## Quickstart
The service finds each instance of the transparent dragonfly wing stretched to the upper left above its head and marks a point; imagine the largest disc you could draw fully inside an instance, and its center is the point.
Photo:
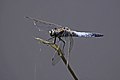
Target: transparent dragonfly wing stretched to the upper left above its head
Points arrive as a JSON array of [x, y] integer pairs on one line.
[[43, 25]]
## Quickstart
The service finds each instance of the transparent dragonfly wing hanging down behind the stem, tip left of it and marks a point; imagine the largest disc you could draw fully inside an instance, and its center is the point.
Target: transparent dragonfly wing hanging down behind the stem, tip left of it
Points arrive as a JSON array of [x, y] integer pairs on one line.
[[56, 58]]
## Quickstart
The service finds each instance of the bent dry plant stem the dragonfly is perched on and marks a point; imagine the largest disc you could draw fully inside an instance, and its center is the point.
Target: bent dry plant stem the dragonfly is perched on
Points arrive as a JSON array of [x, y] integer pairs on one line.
[[57, 48]]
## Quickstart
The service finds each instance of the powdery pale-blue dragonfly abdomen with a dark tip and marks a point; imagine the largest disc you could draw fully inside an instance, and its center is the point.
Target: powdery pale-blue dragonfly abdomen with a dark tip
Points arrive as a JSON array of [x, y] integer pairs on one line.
[[86, 34]]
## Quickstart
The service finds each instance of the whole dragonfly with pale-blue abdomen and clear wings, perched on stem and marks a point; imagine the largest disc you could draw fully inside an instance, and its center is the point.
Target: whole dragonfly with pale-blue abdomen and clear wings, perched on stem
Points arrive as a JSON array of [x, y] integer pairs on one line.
[[59, 32]]
